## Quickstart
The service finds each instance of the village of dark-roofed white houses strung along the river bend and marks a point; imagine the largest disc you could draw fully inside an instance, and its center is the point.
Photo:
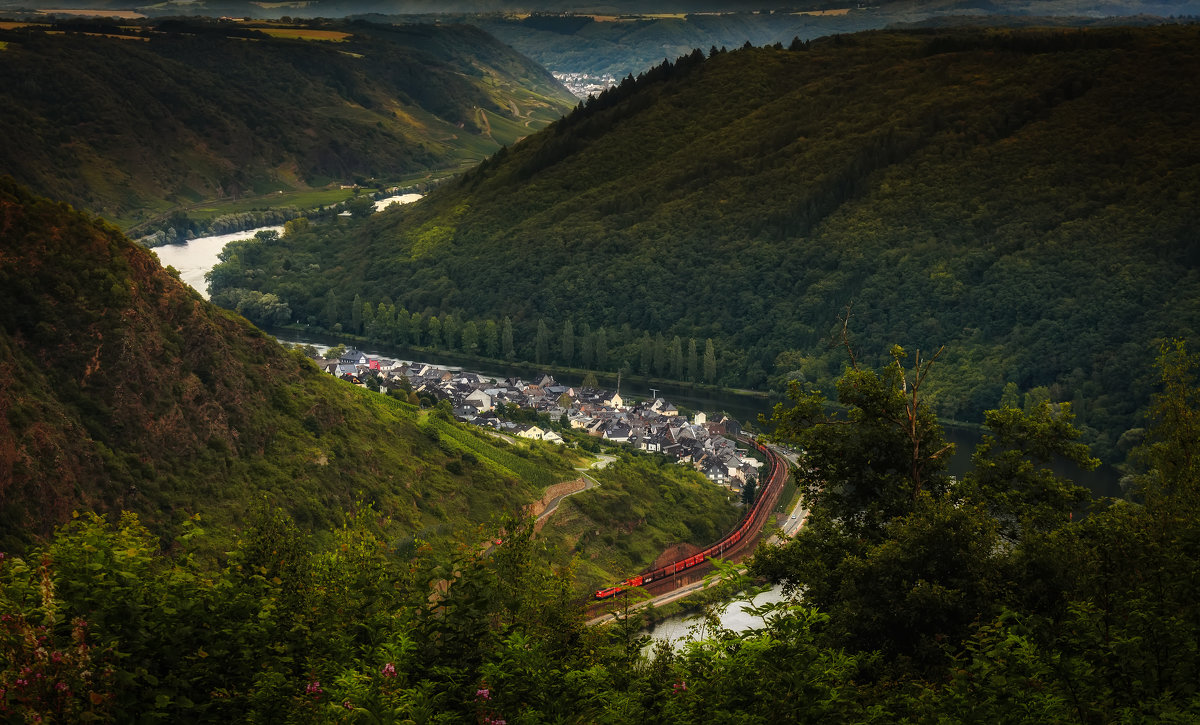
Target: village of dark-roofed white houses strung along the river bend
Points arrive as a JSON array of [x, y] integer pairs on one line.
[[653, 426]]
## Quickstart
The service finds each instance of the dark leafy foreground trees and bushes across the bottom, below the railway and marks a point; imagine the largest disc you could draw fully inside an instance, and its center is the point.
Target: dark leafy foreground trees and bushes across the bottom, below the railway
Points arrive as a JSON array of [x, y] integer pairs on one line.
[[926, 600]]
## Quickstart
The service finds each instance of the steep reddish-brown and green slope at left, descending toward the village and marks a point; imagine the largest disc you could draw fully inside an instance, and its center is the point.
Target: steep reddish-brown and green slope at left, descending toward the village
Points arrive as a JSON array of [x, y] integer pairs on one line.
[[123, 390]]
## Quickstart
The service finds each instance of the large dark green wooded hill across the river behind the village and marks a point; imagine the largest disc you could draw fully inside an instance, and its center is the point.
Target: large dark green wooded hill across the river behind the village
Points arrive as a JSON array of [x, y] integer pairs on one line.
[[1024, 199]]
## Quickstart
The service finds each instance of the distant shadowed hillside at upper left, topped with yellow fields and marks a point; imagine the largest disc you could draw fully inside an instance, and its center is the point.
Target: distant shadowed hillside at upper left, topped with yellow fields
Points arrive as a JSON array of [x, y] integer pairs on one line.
[[127, 121]]
